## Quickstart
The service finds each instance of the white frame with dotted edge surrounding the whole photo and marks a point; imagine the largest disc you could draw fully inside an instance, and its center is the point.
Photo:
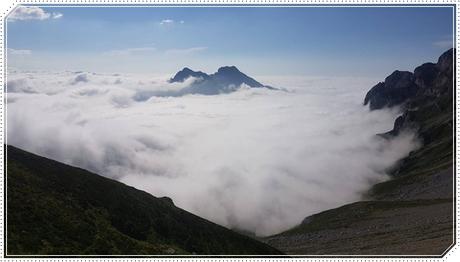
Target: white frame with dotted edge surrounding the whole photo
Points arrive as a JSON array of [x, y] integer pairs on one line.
[[7, 6]]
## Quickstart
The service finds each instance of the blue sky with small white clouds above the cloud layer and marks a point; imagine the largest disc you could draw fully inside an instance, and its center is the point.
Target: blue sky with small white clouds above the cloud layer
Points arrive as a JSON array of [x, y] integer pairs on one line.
[[321, 41]]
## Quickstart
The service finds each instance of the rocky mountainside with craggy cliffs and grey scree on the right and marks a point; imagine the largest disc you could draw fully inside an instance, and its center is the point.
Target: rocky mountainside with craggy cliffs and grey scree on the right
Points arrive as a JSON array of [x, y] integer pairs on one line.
[[411, 214]]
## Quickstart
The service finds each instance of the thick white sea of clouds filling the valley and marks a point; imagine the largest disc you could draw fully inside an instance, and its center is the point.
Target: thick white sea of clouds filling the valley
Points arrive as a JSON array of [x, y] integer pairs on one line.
[[258, 160]]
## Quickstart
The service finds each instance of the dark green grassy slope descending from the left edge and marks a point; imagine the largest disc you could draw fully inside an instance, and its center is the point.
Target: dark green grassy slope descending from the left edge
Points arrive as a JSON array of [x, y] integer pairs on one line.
[[53, 208]]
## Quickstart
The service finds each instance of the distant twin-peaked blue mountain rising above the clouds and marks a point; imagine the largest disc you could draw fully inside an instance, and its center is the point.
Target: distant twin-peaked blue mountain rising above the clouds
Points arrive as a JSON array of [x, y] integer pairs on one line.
[[227, 79]]
